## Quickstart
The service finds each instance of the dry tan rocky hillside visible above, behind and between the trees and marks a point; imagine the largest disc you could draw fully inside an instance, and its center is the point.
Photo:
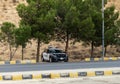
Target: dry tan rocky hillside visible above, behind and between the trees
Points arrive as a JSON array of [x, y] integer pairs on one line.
[[8, 13]]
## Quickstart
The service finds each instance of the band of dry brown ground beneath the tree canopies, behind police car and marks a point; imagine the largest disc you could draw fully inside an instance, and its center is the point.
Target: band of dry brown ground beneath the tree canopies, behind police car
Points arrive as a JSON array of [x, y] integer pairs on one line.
[[76, 52]]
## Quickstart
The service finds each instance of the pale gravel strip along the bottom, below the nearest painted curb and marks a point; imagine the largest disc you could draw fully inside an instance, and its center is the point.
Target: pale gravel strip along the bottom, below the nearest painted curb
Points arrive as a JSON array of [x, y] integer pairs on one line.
[[84, 80]]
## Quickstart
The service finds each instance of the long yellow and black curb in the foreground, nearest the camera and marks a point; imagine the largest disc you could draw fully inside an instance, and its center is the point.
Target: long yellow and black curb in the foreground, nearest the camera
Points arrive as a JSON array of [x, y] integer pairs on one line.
[[58, 75]]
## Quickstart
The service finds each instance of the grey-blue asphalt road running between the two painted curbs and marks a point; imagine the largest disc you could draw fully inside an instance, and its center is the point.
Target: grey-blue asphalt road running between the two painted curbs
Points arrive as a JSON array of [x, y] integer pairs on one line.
[[58, 66]]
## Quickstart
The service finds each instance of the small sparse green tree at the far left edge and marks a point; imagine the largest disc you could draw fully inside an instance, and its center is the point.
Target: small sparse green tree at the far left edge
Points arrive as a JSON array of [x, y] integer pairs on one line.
[[7, 34]]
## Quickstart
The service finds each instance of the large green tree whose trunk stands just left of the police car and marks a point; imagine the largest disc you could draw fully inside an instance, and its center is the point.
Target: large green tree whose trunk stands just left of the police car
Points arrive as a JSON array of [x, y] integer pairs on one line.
[[40, 15]]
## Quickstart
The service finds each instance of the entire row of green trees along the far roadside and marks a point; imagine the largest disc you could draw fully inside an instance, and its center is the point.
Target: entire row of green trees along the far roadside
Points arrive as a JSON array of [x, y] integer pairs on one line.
[[62, 20]]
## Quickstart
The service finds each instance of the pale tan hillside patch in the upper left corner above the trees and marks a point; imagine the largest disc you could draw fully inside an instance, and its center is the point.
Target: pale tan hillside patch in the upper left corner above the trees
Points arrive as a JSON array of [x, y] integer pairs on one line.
[[8, 11]]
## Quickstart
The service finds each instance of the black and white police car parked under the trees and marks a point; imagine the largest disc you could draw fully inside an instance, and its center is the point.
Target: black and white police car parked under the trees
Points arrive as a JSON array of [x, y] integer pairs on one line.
[[53, 54]]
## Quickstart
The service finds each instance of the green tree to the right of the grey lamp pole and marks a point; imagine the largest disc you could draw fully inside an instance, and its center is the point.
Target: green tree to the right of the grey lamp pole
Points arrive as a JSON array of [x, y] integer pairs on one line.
[[111, 28]]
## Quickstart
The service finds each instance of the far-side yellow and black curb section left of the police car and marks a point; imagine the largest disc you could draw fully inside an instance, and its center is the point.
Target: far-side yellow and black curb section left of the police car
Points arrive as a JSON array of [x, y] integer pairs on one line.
[[18, 62]]
